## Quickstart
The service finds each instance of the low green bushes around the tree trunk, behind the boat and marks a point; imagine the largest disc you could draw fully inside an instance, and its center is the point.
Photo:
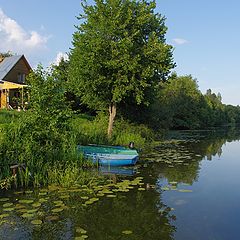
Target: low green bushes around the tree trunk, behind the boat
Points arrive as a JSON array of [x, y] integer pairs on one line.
[[92, 130]]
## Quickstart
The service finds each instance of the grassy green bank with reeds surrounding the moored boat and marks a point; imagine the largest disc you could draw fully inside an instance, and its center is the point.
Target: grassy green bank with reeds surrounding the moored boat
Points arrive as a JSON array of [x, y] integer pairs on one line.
[[48, 149]]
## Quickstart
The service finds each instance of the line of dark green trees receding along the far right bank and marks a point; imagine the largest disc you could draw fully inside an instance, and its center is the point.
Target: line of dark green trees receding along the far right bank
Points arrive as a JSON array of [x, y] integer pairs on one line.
[[179, 104]]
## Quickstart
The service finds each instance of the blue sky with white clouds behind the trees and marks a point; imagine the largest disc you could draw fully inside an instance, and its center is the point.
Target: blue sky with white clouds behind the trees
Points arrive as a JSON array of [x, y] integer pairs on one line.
[[205, 35]]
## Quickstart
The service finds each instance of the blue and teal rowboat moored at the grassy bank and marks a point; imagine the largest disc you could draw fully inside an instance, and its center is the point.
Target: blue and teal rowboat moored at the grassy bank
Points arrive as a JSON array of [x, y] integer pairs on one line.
[[110, 155]]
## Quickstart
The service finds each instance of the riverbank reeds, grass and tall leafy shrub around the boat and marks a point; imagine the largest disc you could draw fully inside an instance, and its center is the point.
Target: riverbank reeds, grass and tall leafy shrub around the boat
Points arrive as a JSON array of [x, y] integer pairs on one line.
[[43, 140]]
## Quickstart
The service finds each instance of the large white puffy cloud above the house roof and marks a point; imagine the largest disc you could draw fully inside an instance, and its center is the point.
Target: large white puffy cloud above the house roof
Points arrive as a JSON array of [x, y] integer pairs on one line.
[[17, 40]]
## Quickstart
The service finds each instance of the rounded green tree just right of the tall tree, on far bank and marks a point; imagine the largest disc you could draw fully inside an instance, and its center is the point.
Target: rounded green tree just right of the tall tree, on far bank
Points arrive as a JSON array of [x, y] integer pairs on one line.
[[180, 104]]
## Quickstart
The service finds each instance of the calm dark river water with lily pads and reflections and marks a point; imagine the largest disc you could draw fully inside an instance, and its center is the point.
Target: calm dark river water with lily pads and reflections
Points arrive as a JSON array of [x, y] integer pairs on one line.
[[184, 189]]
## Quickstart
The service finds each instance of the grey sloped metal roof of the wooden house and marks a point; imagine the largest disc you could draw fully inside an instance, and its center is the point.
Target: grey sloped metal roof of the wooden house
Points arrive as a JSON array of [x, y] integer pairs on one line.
[[8, 63]]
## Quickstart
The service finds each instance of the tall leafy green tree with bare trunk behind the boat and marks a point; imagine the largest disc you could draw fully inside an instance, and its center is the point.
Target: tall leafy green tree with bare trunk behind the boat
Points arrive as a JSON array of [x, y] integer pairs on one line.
[[119, 51]]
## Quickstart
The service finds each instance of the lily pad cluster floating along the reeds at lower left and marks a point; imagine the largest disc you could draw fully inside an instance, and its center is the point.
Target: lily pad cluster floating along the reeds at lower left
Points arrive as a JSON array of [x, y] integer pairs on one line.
[[49, 205]]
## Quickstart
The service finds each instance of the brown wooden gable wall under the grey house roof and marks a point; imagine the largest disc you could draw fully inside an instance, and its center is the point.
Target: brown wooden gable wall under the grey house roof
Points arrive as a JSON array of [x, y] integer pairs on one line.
[[19, 68]]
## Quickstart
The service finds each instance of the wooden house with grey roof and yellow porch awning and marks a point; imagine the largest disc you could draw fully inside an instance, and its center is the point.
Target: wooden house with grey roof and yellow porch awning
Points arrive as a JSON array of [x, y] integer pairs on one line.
[[13, 72]]
